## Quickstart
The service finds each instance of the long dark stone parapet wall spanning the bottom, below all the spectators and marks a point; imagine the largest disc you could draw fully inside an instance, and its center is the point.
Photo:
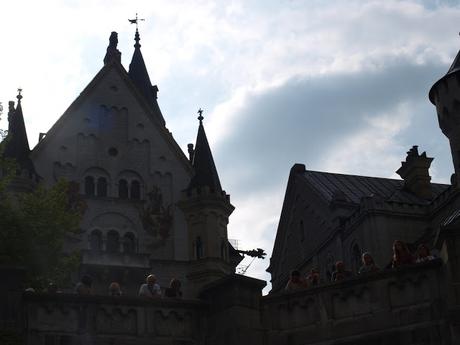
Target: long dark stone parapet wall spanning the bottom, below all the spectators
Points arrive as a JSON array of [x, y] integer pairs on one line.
[[402, 306]]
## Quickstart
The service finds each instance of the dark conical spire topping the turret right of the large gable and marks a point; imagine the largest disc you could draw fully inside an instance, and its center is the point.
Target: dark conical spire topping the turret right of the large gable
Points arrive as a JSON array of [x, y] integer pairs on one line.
[[203, 163]]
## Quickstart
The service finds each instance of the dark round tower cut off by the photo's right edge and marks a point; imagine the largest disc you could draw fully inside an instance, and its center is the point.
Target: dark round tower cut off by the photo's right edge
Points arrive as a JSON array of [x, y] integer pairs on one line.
[[445, 95]]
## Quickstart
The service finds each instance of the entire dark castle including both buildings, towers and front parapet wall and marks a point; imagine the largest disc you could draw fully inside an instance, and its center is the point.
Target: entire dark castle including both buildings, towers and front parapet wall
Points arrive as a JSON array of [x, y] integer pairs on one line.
[[151, 208]]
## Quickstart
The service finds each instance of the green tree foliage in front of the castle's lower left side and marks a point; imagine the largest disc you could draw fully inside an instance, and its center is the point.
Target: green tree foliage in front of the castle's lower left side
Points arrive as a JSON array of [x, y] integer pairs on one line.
[[33, 227]]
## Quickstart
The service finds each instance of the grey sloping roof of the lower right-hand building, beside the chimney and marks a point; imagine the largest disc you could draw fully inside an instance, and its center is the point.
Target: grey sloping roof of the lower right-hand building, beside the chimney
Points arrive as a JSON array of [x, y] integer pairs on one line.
[[356, 187]]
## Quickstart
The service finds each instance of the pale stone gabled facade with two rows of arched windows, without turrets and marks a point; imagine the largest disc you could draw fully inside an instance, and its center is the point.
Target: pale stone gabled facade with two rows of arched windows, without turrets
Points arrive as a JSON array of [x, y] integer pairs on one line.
[[125, 162]]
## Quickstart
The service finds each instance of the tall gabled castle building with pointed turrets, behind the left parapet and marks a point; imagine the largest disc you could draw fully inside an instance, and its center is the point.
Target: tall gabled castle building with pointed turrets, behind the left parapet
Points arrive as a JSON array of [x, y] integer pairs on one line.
[[149, 207]]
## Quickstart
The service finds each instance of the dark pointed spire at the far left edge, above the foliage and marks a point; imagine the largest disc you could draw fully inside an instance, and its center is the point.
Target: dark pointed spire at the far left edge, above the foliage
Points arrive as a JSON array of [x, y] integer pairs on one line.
[[16, 142]]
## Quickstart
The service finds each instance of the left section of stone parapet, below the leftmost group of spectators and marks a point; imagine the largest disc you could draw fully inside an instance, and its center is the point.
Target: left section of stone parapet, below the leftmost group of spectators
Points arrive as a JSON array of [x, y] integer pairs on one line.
[[63, 319]]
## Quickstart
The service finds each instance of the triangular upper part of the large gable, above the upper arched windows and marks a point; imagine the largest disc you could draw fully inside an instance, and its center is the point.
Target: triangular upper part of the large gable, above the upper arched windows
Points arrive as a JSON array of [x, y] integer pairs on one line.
[[109, 122]]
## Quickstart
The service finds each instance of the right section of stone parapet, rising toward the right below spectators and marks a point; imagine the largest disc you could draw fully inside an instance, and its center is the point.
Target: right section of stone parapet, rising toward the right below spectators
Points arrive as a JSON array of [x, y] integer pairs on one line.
[[400, 306]]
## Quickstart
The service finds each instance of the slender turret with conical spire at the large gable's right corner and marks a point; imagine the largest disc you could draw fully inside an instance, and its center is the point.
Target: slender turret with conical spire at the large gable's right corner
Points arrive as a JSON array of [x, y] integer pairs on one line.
[[207, 209]]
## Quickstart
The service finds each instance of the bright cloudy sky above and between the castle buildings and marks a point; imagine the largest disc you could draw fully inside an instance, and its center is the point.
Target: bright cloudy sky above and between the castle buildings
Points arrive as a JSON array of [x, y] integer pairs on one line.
[[340, 86]]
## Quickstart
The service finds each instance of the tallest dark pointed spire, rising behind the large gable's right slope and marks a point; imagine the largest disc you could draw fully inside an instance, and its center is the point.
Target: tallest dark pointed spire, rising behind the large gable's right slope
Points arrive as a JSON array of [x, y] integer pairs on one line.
[[140, 77]]
